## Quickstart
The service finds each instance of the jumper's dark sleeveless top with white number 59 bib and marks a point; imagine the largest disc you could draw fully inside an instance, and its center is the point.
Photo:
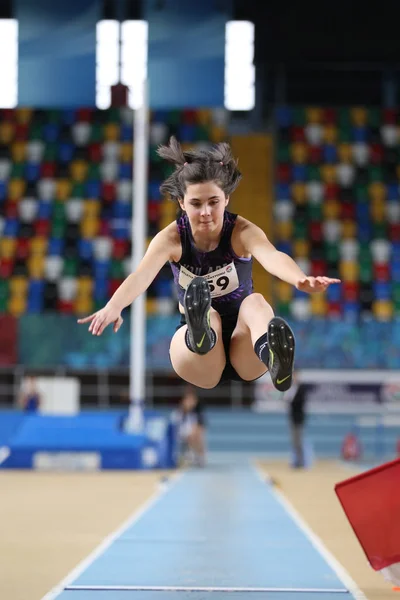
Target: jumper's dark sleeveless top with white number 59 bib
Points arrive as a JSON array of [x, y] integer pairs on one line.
[[229, 276]]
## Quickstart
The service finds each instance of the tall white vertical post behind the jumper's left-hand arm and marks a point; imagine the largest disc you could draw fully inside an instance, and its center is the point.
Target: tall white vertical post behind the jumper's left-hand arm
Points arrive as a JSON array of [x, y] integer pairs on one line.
[[137, 379]]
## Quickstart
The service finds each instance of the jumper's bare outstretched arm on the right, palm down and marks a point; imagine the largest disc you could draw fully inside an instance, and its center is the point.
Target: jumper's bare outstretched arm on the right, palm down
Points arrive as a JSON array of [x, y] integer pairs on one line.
[[278, 263]]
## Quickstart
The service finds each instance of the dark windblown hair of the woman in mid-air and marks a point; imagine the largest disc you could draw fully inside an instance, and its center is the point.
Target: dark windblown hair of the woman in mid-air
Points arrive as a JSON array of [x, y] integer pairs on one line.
[[199, 166]]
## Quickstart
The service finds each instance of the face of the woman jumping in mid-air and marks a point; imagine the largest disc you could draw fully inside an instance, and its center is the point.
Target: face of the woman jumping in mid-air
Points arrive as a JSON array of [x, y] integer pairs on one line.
[[204, 204]]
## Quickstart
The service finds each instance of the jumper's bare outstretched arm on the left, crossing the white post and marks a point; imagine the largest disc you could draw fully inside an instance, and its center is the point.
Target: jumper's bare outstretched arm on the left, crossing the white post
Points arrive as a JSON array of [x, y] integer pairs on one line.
[[157, 254]]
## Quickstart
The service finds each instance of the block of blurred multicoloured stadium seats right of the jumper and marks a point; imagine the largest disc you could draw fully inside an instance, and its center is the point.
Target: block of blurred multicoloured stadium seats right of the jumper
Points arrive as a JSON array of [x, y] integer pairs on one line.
[[337, 209]]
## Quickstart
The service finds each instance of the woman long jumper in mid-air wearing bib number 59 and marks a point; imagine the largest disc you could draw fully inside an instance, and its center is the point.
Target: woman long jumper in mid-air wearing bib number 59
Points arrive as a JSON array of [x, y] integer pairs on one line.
[[226, 331]]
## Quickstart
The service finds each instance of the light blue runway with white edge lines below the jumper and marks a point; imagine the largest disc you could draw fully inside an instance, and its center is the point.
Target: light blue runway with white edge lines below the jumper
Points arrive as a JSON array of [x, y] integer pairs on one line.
[[217, 533]]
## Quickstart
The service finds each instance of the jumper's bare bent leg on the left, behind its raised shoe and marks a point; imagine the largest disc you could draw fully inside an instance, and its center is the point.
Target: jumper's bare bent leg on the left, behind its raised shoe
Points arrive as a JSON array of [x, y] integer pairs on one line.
[[201, 370]]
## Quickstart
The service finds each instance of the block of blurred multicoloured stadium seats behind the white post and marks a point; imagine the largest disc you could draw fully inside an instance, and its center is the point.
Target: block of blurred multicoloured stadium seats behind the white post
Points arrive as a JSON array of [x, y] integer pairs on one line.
[[66, 204]]
